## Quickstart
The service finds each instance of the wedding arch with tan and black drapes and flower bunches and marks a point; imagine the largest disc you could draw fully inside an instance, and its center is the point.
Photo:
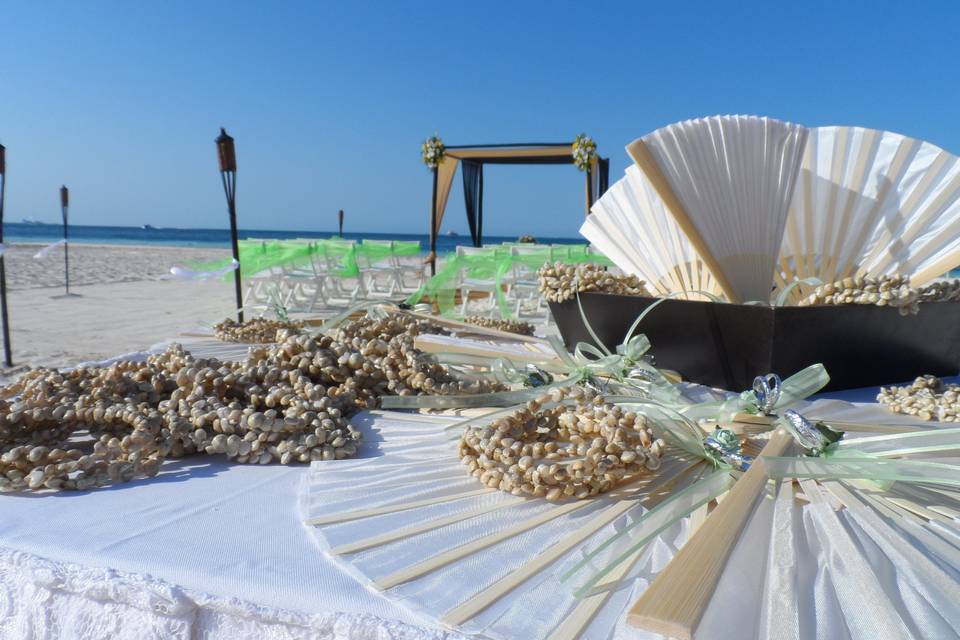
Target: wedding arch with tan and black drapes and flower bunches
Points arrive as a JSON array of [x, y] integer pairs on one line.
[[443, 161]]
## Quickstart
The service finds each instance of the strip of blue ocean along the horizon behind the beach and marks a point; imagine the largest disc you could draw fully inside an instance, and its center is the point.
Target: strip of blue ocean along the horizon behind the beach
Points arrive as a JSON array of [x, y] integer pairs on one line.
[[82, 234]]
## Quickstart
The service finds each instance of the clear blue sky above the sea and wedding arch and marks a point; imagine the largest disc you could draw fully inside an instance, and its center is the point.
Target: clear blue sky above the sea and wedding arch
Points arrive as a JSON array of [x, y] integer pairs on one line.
[[330, 101]]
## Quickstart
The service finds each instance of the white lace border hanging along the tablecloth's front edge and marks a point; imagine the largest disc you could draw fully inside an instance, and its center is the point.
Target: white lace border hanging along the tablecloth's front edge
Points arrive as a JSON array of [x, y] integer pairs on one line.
[[41, 599]]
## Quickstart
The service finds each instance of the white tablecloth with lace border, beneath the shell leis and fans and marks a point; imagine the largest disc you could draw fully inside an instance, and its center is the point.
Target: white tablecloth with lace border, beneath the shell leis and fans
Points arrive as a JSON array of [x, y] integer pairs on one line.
[[204, 550]]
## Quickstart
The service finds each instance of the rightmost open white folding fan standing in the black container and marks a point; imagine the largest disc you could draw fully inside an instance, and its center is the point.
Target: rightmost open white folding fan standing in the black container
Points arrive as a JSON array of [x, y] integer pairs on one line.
[[872, 202]]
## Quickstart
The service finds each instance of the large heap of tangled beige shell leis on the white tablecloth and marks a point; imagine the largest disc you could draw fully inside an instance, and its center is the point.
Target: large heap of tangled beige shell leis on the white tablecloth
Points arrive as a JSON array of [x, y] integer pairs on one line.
[[285, 403]]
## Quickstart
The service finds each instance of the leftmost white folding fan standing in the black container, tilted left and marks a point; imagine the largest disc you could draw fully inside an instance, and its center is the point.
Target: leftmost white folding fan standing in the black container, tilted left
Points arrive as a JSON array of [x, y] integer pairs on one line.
[[631, 226]]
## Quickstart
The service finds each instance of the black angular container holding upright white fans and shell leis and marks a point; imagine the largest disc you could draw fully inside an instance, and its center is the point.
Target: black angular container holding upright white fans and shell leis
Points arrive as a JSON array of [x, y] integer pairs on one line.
[[727, 345]]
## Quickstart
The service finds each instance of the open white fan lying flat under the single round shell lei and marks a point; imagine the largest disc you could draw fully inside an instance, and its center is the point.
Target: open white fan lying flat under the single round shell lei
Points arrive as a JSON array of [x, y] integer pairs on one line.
[[414, 525]]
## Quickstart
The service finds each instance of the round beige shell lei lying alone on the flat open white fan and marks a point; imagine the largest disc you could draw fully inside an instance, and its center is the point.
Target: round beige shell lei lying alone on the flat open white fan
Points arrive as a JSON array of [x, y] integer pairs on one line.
[[555, 450]]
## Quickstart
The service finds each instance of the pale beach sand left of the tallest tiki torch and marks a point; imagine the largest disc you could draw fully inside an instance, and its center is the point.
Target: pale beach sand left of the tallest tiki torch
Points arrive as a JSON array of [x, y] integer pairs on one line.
[[117, 302]]
